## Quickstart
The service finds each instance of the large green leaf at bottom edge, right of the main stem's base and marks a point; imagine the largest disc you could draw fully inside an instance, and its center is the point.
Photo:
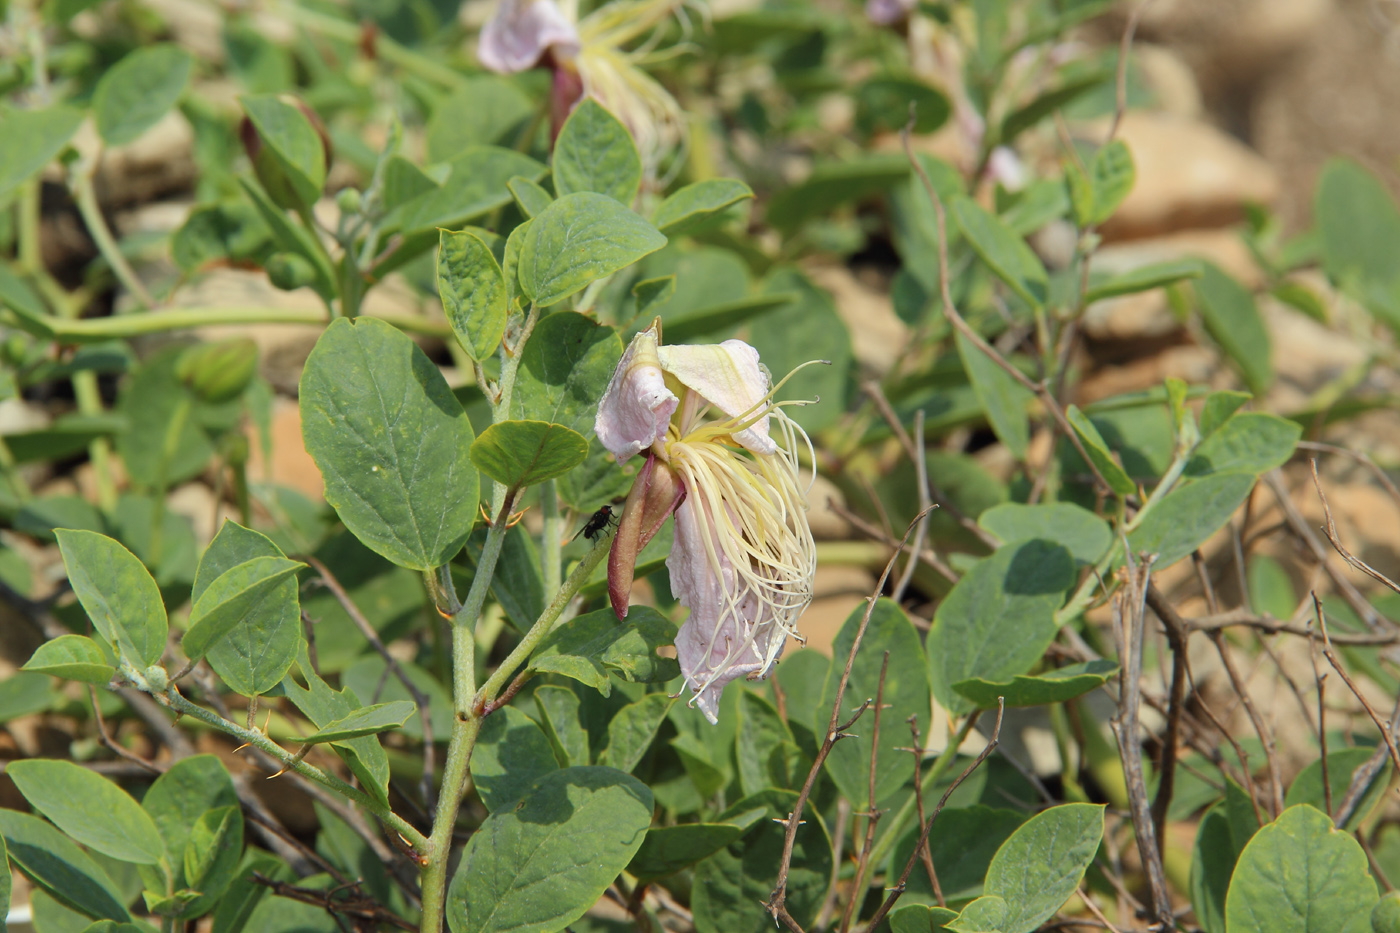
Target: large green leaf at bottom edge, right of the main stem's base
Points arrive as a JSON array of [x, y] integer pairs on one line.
[[572, 836]]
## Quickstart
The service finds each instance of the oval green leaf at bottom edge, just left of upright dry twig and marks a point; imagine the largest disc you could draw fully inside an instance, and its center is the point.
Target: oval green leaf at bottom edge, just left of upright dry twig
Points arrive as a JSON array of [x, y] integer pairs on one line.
[[1041, 866]]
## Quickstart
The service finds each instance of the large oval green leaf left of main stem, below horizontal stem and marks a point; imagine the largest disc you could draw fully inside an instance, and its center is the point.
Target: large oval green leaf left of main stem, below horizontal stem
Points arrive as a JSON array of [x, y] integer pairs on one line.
[[391, 442]]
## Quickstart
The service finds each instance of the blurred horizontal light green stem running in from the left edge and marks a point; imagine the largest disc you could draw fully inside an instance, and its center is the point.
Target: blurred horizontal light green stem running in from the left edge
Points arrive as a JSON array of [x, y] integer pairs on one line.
[[129, 326]]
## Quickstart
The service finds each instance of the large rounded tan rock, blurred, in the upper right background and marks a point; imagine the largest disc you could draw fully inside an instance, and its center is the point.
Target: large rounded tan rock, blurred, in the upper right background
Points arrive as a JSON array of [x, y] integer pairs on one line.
[[1189, 174]]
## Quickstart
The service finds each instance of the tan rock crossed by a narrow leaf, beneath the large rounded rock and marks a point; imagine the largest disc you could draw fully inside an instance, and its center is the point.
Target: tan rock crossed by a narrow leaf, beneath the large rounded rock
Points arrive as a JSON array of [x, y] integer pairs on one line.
[[1146, 315]]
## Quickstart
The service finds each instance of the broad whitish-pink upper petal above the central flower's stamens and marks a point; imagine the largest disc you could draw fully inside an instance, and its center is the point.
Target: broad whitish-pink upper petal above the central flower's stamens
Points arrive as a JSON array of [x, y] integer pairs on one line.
[[727, 376]]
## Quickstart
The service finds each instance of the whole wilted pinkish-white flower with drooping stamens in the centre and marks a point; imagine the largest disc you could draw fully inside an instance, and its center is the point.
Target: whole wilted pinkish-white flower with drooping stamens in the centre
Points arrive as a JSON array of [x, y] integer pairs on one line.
[[723, 456]]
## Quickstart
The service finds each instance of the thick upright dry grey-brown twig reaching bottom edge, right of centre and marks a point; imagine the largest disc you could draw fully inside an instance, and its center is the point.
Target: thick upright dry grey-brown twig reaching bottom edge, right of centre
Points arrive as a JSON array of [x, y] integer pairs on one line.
[[1129, 627]]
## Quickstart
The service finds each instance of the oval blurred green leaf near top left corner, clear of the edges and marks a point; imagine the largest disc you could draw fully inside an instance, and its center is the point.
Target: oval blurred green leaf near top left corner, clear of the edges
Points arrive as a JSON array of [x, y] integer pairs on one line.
[[139, 90]]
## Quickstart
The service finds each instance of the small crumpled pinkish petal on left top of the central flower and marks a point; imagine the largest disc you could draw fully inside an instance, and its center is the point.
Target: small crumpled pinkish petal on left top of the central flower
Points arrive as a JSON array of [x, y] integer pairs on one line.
[[638, 406]]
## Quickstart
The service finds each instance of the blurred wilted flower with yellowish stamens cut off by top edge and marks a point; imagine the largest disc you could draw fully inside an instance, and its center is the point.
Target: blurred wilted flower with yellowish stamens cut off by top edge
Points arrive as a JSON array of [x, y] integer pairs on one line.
[[590, 57]]
